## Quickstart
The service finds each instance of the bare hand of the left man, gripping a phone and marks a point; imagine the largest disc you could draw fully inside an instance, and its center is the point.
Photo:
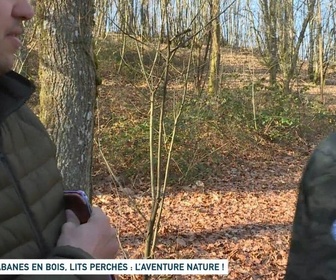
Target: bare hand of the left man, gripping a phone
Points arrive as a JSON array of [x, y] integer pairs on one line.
[[96, 237]]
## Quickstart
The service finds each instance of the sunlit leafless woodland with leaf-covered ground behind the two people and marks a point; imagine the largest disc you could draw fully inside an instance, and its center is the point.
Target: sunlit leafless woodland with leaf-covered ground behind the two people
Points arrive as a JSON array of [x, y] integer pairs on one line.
[[188, 121]]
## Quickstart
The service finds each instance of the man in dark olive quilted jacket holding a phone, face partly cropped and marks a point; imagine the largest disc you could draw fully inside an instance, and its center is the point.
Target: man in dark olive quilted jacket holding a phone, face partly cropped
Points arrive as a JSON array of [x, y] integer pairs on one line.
[[33, 220]]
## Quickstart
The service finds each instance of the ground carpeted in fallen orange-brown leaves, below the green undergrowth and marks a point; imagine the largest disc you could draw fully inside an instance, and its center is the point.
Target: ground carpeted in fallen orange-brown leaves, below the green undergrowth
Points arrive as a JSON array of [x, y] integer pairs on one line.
[[243, 212]]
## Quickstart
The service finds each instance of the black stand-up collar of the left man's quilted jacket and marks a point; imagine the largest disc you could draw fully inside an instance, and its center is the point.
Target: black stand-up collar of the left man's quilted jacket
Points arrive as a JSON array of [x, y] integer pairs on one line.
[[15, 90]]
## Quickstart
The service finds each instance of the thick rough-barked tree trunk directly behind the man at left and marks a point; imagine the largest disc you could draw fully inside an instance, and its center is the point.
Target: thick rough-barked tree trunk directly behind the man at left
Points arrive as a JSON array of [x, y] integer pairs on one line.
[[68, 85]]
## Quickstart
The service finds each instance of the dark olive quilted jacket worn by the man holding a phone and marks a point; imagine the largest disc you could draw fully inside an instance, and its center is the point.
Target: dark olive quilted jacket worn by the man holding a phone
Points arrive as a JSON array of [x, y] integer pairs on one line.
[[31, 191]]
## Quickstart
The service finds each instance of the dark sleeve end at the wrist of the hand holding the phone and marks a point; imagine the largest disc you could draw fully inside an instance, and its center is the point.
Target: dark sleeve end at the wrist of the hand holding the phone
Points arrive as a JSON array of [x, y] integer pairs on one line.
[[66, 252]]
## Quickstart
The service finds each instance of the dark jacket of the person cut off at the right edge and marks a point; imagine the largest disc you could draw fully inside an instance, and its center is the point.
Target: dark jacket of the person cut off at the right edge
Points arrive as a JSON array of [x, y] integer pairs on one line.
[[312, 254]]
